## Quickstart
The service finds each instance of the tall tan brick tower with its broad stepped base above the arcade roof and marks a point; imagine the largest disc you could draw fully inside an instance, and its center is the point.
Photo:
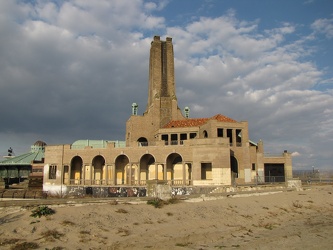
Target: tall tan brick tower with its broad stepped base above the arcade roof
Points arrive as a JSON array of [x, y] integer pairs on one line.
[[162, 105]]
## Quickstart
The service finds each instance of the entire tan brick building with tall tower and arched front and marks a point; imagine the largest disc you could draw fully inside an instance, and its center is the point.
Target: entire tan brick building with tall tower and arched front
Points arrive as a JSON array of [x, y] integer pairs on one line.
[[165, 144]]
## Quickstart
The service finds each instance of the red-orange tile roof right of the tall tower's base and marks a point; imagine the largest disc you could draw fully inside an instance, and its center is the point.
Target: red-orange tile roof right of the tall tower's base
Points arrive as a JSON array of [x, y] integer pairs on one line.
[[196, 122]]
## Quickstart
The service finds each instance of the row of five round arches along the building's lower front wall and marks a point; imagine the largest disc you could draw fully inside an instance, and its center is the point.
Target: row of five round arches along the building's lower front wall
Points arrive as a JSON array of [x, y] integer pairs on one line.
[[124, 172]]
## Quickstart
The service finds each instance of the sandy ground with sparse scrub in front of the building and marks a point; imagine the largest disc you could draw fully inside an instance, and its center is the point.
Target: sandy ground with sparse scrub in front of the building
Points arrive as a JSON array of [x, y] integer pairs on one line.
[[281, 220]]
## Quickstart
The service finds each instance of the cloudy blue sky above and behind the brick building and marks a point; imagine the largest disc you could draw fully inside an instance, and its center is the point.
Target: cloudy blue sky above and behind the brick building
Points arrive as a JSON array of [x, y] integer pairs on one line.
[[70, 70]]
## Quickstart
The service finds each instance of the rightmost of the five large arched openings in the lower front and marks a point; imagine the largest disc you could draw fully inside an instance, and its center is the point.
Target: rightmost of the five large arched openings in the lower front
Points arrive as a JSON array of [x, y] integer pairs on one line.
[[174, 169]]
